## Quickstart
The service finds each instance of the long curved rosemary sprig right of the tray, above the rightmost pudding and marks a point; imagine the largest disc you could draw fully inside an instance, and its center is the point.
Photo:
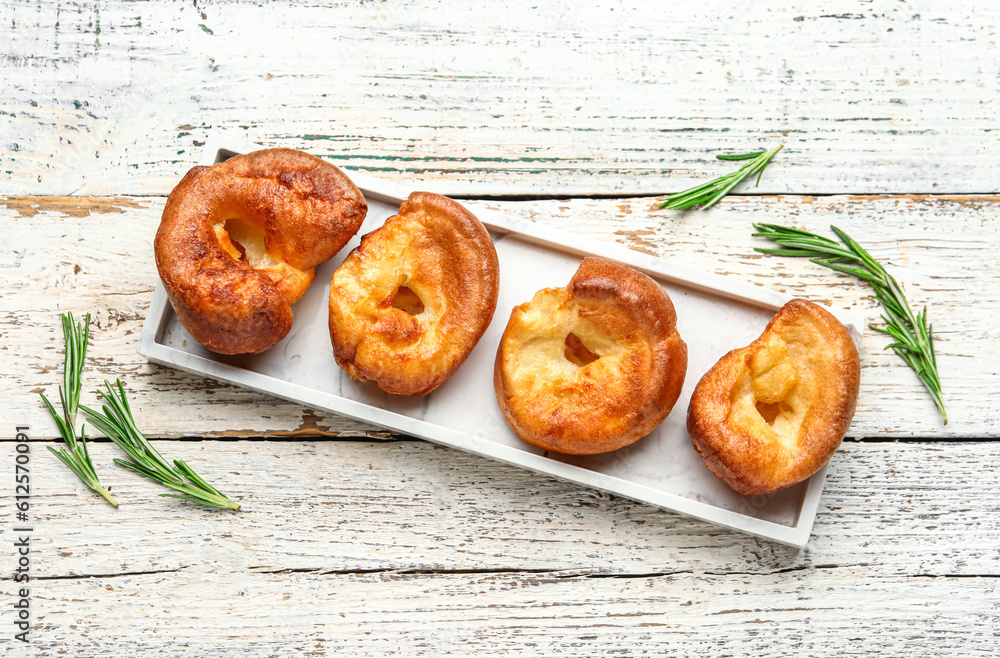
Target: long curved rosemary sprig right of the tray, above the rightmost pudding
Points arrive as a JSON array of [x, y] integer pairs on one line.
[[913, 337]]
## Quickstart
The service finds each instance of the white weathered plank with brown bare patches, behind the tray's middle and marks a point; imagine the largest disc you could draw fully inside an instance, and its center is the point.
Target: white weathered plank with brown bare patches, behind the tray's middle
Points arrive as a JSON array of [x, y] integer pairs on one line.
[[95, 254]]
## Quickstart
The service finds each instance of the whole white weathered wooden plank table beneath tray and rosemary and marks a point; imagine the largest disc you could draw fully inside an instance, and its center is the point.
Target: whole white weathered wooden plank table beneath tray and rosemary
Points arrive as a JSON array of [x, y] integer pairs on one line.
[[580, 115]]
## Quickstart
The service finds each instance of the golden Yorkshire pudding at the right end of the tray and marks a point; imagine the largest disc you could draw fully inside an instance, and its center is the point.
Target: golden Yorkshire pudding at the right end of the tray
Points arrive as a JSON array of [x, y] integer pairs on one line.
[[771, 414]]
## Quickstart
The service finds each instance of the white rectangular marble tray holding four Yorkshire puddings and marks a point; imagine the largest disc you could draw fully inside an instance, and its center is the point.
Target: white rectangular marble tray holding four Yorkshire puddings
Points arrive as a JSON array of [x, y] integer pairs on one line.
[[715, 314]]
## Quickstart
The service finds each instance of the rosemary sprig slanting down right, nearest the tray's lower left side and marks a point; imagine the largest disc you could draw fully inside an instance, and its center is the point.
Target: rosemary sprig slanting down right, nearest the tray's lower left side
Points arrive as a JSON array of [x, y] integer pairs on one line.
[[119, 425]]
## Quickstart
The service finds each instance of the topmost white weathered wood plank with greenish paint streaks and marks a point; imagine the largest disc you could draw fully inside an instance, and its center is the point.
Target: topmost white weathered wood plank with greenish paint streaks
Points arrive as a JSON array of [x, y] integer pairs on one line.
[[517, 97]]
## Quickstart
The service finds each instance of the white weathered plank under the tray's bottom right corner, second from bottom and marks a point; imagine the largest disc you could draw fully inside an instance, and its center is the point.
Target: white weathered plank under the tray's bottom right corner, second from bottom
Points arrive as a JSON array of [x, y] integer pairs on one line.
[[913, 509]]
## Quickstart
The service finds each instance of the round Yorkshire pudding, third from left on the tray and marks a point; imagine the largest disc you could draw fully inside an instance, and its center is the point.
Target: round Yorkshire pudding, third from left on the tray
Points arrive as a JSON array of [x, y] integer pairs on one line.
[[594, 366]]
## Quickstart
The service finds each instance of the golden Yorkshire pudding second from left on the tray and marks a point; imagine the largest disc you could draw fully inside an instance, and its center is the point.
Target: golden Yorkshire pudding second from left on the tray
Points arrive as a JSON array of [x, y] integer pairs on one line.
[[411, 301]]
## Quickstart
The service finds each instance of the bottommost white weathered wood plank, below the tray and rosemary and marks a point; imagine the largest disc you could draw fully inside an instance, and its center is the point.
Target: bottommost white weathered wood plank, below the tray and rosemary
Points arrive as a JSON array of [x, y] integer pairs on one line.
[[789, 615]]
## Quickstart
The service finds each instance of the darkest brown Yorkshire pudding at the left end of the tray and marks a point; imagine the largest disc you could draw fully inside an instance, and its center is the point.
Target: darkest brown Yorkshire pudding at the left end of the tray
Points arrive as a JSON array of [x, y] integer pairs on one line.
[[239, 242]]
